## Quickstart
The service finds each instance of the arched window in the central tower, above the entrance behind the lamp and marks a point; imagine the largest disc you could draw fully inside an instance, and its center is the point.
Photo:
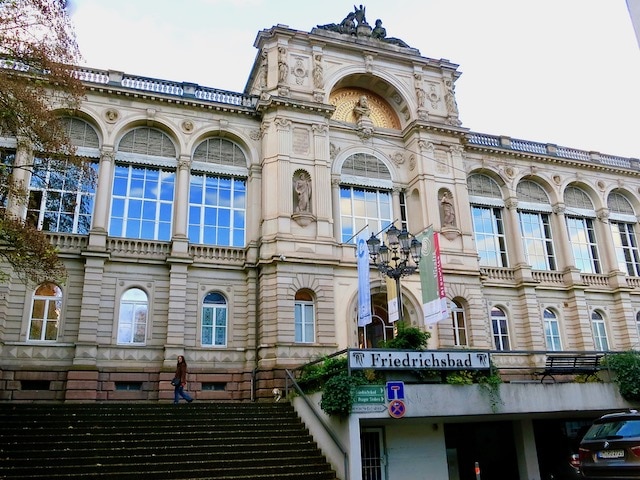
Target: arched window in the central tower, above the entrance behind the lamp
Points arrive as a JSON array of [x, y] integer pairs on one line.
[[365, 196]]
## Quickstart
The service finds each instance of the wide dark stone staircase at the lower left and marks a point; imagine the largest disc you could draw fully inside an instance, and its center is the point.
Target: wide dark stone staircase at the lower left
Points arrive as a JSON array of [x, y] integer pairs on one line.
[[221, 441]]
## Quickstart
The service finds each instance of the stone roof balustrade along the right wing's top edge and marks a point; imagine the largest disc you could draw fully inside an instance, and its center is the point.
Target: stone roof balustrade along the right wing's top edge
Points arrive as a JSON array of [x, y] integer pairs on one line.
[[552, 150]]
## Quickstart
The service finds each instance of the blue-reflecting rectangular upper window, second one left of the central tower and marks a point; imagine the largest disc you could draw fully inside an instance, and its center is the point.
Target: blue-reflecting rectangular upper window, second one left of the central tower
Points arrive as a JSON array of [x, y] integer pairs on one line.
[[142, 203]]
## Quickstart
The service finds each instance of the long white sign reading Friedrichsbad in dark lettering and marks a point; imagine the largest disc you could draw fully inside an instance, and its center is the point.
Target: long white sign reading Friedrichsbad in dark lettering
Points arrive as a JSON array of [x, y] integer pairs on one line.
[[418, 360]]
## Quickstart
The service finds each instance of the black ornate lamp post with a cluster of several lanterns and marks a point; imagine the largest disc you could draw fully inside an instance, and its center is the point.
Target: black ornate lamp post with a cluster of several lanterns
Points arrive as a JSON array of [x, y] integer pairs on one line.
[[398, 258]]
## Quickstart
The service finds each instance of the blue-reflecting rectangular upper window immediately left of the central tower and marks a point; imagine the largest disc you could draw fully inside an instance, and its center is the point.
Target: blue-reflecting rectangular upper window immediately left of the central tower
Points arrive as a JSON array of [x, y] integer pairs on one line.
[[217, 210]]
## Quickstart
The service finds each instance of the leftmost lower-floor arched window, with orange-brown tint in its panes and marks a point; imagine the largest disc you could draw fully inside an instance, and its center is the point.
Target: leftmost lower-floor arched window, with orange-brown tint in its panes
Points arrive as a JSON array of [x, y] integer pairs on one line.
[[46, 311]]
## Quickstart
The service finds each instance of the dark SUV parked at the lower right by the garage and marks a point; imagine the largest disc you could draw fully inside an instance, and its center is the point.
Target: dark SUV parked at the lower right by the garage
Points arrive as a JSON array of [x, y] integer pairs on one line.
[[611, 447]]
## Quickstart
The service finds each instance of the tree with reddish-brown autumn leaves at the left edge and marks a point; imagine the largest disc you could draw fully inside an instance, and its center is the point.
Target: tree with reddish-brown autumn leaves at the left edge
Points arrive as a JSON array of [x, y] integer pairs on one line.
[[38, 52]]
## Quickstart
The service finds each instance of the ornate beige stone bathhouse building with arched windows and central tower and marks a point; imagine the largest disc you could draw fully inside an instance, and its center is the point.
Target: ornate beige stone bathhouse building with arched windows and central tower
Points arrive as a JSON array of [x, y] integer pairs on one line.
[[222, 228]]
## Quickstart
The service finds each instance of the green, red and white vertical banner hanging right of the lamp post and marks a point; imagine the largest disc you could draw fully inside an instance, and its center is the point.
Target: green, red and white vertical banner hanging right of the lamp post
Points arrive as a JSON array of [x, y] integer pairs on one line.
[[434, 299]]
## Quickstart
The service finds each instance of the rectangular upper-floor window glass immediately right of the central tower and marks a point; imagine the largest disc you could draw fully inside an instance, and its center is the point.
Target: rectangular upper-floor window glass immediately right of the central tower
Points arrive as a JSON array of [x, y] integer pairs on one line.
[[488, 229]]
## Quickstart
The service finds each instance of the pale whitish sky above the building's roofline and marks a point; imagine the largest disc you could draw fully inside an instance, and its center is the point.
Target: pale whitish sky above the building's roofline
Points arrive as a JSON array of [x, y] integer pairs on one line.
[[556, 71]]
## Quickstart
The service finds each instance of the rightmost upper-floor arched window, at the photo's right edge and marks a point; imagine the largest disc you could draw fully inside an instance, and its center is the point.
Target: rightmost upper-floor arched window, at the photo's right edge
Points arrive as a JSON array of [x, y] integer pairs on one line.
[[622, 220]]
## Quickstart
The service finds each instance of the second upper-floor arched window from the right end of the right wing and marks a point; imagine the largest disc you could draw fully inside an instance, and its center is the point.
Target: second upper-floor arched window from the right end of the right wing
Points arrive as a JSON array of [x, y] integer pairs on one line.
[[582, 235]]
